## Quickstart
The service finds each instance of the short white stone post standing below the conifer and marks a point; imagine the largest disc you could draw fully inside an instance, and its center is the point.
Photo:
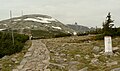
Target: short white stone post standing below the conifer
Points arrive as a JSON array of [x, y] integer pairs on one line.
[[108, 45]]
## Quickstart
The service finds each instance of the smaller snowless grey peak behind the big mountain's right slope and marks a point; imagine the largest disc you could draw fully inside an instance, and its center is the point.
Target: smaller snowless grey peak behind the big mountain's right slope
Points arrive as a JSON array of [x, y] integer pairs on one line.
[[78, 28]]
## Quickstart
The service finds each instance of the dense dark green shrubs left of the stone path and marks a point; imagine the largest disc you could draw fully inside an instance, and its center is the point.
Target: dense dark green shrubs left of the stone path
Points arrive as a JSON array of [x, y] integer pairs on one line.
[[7, 47]]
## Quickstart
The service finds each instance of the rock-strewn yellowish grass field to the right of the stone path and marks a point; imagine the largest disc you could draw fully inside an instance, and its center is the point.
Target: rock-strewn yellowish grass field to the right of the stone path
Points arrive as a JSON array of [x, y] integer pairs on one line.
[[79, 45]]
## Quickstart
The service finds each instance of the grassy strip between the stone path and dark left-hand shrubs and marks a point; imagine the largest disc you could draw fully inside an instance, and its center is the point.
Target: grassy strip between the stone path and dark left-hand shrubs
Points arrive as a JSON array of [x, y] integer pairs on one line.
[[8, 64]]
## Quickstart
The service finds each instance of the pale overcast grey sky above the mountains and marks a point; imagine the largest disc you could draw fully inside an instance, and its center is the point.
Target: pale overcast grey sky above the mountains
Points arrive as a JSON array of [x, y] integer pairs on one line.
[[90, 13]]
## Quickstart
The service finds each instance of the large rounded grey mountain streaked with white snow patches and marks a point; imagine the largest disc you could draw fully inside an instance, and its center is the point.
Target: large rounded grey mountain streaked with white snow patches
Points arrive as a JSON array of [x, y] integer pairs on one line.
[[35, 22]]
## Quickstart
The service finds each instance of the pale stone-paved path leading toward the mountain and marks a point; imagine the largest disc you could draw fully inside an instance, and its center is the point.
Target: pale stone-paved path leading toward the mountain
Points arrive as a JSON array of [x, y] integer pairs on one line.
[[36, 59]]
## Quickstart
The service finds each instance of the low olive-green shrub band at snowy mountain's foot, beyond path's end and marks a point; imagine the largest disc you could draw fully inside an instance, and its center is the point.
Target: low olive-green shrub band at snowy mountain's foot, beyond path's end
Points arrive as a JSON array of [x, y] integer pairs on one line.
[[48, 34]]
